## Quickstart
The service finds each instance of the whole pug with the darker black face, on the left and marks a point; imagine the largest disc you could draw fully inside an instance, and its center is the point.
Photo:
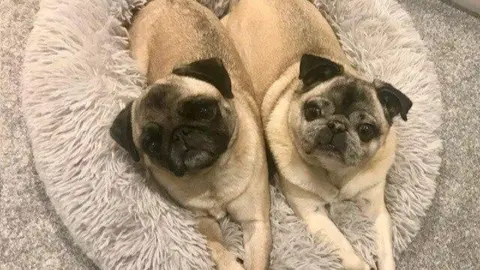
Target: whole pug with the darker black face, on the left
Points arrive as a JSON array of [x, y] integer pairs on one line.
[[197, 129]]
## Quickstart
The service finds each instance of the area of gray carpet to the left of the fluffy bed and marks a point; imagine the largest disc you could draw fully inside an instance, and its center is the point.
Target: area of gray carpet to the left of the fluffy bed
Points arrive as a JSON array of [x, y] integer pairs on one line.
[[31, 234]]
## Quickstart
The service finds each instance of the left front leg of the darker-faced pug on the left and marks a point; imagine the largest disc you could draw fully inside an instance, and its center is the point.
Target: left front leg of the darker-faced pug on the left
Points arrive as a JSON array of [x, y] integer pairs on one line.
[[223, 258]]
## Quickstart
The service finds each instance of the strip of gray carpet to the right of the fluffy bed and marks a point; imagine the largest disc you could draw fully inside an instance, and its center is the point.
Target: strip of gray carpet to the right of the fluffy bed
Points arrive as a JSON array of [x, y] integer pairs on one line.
[[450, 238]]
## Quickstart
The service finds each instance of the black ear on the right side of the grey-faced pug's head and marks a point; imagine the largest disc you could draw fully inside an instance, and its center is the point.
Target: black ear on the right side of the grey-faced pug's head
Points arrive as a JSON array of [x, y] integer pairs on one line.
[[393, 100]]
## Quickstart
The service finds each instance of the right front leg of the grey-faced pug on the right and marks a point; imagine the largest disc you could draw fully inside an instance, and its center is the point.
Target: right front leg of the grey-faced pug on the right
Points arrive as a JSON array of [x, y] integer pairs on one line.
[[374, 207]]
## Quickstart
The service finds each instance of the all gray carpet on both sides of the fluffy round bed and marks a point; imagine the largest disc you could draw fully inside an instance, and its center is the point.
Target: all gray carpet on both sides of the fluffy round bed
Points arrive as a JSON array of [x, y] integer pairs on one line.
[[32, 237]]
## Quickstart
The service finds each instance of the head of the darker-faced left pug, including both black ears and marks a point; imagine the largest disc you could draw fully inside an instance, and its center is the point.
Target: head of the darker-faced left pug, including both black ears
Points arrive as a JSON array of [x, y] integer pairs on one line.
[[184, 122]]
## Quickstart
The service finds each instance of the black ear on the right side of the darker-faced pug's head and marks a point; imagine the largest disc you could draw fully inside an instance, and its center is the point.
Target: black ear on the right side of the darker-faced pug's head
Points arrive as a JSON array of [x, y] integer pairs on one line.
[[211, 71]]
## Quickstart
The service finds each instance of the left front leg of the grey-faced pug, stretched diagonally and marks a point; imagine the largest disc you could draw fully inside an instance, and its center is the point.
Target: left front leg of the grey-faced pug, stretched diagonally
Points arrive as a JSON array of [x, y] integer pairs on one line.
[[311, 209]]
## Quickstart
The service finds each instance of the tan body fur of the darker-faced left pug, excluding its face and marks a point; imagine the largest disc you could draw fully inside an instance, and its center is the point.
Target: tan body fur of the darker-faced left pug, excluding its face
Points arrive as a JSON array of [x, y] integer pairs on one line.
[[167, 34]]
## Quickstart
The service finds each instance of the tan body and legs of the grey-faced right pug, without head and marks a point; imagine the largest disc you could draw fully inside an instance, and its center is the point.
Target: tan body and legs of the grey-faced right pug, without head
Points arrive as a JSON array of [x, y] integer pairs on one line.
[[271, 37]]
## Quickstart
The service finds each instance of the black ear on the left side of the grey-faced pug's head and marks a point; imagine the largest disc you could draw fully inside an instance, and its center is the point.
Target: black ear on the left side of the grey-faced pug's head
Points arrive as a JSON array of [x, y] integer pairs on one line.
[[317, 69]]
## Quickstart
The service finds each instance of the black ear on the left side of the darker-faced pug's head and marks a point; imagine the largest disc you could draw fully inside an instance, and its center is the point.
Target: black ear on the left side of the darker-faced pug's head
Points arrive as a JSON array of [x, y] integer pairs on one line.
[[121, 131]]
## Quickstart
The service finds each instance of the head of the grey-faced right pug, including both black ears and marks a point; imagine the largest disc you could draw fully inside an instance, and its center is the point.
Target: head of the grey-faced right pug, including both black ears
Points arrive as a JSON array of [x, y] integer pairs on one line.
[[338, 120]]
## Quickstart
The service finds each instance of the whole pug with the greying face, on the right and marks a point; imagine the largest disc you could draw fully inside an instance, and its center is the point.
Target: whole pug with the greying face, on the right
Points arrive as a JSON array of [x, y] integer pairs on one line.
[[329, 129]]
